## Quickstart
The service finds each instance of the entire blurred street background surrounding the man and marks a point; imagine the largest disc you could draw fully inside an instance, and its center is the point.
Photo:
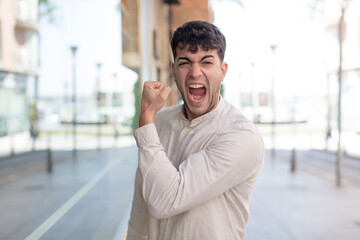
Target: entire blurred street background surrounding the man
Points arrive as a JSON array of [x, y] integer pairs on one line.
[[71, 74]]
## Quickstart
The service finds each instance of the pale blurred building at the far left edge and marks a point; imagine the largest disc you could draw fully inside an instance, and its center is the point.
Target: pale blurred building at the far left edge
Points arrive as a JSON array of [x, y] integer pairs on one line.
[[18, 63]]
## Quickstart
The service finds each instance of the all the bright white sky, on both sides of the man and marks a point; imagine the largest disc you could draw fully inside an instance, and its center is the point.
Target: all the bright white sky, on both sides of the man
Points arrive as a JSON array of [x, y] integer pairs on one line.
[[297, 67]]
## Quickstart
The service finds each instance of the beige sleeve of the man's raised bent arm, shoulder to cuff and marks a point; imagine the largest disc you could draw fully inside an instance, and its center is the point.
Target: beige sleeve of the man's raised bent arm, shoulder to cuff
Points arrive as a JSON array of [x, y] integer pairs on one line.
[[231, 158]]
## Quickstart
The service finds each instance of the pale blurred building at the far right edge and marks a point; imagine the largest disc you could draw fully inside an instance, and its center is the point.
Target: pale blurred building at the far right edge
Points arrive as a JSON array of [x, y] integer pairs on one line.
[[350, 63]]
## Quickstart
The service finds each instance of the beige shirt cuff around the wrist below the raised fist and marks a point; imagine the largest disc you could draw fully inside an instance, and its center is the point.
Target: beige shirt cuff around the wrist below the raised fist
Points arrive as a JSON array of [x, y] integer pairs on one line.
[[146, 135]]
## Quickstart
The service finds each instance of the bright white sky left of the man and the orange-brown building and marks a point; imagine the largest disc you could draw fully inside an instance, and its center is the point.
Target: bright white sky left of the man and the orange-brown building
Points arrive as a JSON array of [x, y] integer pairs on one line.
[[98, 39]]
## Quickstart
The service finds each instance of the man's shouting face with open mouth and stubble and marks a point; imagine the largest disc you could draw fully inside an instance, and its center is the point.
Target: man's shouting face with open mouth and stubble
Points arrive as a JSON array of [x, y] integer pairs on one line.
[[198, 77]]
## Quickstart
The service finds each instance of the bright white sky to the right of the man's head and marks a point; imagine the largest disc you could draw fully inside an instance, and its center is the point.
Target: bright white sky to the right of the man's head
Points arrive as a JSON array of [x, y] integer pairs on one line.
[[298, 64]]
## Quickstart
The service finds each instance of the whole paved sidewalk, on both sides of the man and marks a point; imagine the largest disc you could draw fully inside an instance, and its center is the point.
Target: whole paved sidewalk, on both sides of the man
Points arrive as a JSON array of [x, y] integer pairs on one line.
[[285, 206]]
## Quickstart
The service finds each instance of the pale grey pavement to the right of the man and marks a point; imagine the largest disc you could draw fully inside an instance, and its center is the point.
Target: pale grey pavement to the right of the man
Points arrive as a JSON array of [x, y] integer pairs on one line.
[[301, 205]]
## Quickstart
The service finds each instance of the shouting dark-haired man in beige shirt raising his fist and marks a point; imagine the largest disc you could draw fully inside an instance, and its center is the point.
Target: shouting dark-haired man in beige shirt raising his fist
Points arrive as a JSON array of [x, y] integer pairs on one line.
[[198, 161]]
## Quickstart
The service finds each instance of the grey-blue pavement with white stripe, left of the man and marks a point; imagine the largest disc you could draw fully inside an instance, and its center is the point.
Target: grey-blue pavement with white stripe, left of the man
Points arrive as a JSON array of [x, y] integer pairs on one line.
[[86, 198]]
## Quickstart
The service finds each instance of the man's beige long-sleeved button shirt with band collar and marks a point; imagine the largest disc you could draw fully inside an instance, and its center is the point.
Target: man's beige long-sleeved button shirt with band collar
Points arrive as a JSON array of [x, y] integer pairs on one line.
[[194, 179]]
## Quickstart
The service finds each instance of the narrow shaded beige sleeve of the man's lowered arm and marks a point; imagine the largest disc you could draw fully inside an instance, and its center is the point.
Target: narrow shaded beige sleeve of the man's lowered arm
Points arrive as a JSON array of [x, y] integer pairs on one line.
[[139, 216]]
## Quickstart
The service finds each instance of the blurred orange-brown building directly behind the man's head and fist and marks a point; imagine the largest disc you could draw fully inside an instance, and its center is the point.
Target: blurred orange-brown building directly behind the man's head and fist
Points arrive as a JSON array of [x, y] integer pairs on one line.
[[147, 27]]
